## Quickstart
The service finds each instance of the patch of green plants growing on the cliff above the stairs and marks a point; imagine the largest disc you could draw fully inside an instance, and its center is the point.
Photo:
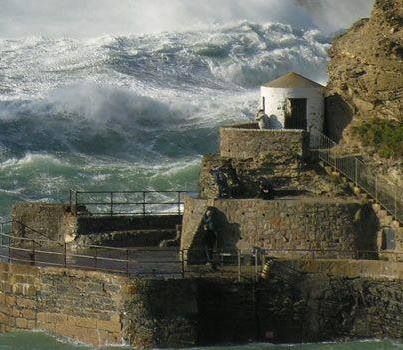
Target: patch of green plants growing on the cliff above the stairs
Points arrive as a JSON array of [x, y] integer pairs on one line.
[[384, 135]]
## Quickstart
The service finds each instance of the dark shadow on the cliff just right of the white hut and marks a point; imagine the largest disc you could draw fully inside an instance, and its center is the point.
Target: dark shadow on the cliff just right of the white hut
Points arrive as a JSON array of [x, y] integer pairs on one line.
[[337, 117]]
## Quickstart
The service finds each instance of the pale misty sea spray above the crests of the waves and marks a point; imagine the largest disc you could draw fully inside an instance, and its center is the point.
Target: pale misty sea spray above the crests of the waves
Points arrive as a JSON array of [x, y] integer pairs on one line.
[[91, 18]]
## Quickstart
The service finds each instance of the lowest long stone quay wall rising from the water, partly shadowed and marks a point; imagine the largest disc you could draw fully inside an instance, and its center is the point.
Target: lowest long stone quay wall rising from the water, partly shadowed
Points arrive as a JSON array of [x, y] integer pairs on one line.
[[298, 301]]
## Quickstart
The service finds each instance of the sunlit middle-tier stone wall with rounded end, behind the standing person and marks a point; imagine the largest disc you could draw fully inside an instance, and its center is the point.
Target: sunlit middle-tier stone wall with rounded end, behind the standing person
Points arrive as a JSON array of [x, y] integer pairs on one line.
[[280, 225]]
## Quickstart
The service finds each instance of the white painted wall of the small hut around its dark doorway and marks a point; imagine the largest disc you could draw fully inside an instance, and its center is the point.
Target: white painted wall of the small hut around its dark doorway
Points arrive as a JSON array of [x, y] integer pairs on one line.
[[275, 102]]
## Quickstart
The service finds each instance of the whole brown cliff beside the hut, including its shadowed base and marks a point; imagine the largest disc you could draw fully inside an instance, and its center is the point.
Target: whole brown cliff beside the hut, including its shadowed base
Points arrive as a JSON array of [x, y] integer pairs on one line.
[[366, 82]]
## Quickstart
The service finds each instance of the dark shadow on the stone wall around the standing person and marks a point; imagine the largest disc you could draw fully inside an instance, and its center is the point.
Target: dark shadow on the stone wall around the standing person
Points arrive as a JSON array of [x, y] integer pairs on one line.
[[228, 236]]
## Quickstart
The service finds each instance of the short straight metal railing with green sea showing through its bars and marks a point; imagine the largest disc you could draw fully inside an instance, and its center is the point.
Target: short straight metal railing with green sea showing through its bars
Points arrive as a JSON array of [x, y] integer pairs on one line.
[[127, 203]]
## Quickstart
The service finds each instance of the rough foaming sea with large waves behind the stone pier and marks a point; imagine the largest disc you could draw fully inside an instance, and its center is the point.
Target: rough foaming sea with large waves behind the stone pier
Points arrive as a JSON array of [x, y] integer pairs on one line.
[[137, 111]]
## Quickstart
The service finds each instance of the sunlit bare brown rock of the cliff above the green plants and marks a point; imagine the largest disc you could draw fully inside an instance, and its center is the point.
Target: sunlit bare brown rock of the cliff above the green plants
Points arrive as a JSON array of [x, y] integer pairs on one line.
[[366, 63]]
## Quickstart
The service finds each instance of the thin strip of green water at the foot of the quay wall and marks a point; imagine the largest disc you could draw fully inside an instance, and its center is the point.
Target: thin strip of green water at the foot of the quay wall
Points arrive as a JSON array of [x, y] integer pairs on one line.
[[39, 341]]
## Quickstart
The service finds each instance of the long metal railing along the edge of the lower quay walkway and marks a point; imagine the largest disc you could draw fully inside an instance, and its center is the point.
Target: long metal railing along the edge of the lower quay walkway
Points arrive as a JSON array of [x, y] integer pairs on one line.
[[162, 263]]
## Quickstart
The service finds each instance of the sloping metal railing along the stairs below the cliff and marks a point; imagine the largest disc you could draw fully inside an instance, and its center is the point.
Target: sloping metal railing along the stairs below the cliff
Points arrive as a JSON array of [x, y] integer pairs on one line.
[[389, 197]]
